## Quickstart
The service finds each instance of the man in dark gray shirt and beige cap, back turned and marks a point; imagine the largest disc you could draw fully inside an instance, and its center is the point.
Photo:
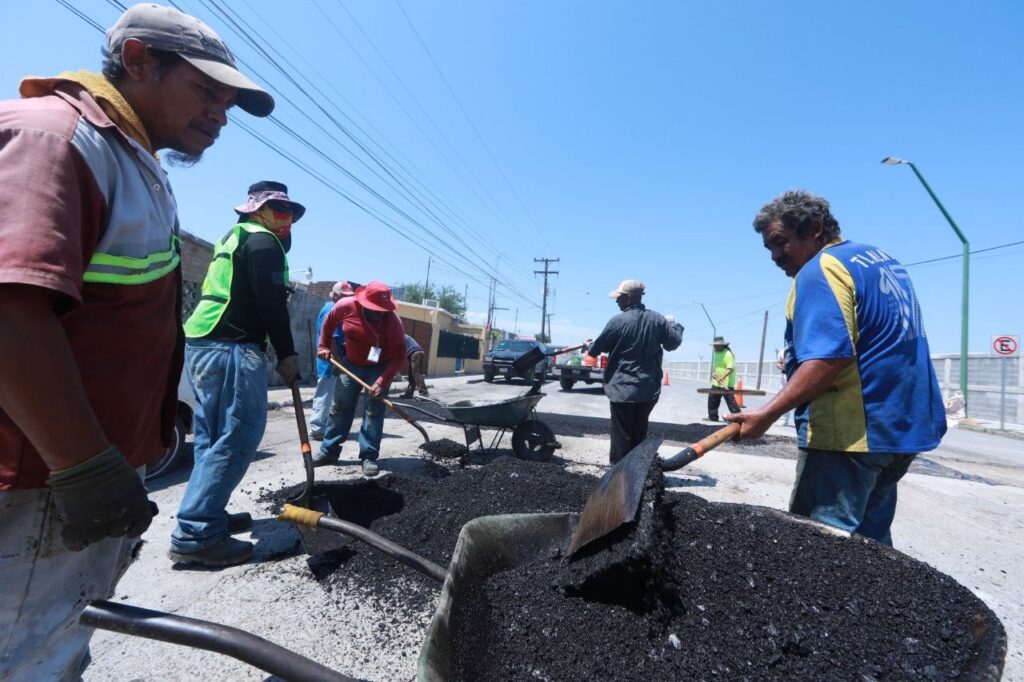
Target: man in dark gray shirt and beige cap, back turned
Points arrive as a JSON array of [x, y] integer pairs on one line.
[[634, 340]]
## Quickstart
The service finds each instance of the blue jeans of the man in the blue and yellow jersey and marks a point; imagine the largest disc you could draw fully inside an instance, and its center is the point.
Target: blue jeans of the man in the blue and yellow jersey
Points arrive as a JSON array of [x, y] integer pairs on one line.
[[856, 492]]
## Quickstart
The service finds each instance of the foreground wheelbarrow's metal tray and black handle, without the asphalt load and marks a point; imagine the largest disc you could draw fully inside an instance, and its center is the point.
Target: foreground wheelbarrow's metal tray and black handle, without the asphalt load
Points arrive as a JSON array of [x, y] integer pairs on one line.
[[486, 546]]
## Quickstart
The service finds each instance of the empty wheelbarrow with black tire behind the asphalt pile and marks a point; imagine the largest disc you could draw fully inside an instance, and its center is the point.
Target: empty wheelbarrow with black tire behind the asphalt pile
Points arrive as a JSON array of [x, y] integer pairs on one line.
[[532, 439]]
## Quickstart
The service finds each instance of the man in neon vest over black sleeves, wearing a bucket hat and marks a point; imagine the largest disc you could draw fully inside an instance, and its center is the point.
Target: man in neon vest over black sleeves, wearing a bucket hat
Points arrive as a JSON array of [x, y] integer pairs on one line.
[[244, 304]]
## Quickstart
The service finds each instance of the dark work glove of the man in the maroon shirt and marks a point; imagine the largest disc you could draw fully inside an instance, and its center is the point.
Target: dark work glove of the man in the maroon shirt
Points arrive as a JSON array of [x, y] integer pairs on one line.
[[103, 497]]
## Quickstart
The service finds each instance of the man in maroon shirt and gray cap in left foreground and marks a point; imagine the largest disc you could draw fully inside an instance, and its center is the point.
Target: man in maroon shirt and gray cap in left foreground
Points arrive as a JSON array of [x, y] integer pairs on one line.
[[91, 345]]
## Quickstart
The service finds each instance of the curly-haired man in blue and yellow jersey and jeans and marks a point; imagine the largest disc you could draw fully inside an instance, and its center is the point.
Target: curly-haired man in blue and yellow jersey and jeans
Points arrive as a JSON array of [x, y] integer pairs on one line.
[[860, 375]]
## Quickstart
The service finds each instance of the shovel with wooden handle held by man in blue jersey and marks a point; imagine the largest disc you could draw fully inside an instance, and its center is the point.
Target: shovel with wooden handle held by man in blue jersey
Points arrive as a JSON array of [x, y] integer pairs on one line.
[[615, 500]]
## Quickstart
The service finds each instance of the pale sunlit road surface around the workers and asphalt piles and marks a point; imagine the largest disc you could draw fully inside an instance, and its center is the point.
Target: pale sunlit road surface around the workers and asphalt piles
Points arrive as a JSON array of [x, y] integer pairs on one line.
[[965, 517]]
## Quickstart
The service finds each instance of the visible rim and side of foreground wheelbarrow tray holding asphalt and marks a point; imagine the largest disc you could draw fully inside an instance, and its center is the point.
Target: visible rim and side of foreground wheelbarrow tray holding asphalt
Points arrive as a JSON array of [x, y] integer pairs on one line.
[[493, 544]]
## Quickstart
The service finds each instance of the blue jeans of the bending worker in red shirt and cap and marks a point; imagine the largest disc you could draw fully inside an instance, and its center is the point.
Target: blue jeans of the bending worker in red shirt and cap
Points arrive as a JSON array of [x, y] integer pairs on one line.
[[347, 397]]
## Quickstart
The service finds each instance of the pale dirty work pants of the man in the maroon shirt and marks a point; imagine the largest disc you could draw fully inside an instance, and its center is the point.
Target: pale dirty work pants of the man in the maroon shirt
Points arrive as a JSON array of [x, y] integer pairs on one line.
[[46, 588]]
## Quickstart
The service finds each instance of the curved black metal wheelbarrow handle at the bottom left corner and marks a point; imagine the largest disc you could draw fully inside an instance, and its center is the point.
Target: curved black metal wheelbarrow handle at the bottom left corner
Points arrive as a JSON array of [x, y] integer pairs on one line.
[[239, 645]]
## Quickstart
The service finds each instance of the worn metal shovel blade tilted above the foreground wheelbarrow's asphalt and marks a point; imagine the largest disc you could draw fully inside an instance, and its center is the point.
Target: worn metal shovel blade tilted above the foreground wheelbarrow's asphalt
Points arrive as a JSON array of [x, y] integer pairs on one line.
[[615, 500]]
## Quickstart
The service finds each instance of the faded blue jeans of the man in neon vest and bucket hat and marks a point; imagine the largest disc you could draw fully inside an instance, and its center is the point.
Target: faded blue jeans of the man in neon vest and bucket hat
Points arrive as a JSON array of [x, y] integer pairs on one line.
[[230, 381]]
